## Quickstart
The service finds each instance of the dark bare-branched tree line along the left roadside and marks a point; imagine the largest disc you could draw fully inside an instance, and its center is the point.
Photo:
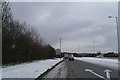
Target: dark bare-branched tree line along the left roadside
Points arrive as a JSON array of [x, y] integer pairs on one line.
[[20, 43]]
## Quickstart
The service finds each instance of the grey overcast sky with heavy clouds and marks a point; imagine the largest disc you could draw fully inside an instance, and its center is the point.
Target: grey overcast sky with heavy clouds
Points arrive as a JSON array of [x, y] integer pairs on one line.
[[78, 24]]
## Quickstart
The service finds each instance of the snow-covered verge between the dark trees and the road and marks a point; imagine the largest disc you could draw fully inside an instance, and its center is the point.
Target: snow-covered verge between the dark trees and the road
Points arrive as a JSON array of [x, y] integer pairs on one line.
[[29, 70]]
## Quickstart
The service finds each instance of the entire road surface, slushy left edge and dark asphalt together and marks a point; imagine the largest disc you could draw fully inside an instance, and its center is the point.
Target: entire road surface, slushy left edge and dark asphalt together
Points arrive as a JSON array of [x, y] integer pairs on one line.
[[77, 69]]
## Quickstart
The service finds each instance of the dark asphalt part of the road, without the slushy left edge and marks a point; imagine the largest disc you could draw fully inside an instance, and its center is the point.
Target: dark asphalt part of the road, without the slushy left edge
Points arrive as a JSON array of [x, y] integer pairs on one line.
[[78, 70]]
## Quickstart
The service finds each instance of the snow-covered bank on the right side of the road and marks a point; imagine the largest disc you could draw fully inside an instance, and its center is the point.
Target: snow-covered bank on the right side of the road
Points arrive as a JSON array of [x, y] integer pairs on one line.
[[108, 63]]
